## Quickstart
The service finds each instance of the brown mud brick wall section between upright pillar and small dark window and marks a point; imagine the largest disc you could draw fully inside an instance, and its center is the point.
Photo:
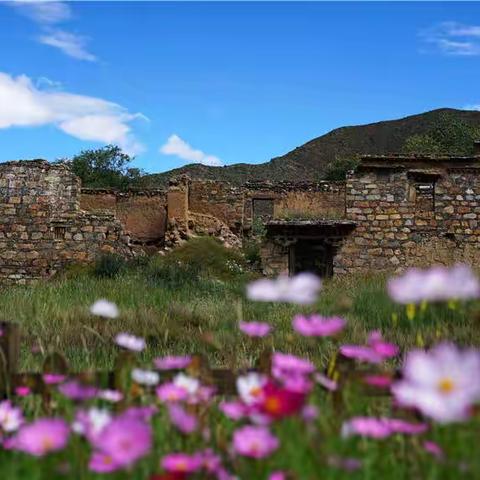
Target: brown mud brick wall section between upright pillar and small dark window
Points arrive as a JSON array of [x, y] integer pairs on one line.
[[218, 199]]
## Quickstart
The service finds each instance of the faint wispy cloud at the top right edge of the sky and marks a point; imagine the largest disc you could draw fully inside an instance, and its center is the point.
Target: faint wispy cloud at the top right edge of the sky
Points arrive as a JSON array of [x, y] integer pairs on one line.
[[453, 38]]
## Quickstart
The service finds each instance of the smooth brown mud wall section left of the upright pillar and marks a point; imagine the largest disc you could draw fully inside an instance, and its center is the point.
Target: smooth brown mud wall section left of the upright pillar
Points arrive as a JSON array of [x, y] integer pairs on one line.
[[142, 213]]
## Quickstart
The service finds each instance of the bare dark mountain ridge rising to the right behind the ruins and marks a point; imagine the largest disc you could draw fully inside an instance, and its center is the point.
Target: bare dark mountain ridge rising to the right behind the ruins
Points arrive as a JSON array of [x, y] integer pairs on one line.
[[311, 160]]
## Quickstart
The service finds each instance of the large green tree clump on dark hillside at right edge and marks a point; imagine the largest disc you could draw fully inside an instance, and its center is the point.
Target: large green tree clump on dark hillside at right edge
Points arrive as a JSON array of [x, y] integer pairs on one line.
[[448, 135]]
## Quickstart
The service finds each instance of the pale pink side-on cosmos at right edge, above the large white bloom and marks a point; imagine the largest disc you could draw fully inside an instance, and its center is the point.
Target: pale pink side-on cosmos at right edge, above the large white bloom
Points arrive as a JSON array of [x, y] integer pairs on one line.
[[436, 284]]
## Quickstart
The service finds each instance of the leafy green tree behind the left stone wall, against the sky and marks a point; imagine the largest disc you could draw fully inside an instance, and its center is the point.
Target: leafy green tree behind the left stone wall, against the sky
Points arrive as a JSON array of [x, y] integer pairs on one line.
[[106, 167]]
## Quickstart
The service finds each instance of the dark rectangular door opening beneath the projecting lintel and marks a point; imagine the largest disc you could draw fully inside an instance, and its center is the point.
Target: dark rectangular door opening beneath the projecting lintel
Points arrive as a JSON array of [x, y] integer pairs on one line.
[[315, 256]]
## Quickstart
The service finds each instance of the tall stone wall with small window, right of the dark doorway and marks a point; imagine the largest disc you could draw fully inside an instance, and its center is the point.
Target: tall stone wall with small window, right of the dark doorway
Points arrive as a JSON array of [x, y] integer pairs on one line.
[[416, 213]]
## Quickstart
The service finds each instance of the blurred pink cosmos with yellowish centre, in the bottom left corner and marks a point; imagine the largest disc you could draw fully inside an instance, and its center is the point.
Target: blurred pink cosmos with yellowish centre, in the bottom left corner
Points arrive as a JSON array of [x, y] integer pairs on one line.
[[41, 437]]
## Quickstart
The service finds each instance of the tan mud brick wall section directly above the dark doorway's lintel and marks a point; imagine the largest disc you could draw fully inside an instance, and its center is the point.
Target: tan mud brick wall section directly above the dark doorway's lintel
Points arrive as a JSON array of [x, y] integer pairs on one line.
[[295, 200]]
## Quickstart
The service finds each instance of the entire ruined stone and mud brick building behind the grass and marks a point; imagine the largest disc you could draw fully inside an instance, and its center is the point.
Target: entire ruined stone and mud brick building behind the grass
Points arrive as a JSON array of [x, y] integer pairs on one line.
[[391, 212]]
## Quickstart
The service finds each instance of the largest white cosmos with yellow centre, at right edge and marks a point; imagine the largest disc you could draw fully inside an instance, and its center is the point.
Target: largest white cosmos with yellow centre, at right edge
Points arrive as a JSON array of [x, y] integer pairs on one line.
[[442, 383]]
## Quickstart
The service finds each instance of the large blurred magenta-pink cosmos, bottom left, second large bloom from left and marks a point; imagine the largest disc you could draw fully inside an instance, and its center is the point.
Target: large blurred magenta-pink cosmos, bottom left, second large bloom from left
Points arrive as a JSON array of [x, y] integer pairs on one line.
[[124, 439]]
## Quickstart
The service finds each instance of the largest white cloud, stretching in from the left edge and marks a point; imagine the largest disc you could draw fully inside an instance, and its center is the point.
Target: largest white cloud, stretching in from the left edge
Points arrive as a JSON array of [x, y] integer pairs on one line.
[[83, 117]]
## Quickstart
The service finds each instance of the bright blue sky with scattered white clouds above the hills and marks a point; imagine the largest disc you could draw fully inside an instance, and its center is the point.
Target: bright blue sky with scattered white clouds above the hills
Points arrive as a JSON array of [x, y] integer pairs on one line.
[[224, 82]]
